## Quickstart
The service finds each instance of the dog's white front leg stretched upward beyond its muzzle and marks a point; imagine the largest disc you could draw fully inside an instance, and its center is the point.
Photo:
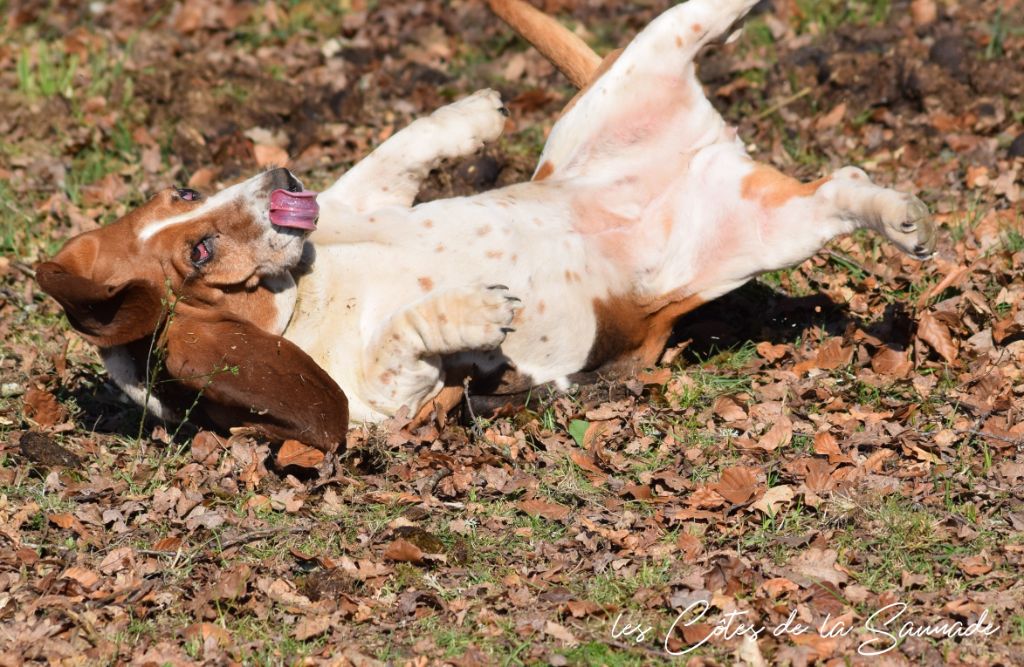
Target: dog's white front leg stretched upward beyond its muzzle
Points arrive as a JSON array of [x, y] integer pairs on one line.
[[392, 176]]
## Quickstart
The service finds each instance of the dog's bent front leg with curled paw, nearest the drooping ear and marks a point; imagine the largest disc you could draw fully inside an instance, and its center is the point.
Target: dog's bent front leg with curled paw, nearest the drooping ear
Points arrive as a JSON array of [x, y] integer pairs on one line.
[[402, 366]]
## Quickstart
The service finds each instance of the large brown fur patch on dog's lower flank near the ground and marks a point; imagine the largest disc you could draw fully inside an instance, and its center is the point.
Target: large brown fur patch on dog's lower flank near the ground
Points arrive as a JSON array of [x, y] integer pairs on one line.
[[630, 336]]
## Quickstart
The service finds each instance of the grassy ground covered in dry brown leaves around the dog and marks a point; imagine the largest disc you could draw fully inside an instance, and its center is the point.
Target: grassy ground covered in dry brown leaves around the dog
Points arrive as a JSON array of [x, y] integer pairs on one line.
[[826, 443]]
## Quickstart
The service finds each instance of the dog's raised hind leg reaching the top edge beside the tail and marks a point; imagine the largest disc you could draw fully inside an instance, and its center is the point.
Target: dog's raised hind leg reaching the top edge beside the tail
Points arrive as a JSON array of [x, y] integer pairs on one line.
[[649, 94]]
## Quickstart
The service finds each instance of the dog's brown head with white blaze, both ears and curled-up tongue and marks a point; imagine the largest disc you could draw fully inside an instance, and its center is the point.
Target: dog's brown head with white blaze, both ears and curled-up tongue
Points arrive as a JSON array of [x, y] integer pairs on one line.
[[201, 275]]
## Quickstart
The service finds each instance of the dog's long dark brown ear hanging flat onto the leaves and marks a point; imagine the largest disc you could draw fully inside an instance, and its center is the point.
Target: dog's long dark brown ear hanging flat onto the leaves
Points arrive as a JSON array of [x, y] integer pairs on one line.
[[248, 378]]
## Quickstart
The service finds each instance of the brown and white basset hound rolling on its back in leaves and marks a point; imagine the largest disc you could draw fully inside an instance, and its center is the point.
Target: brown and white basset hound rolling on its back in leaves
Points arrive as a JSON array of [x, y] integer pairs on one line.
[[645, 205]]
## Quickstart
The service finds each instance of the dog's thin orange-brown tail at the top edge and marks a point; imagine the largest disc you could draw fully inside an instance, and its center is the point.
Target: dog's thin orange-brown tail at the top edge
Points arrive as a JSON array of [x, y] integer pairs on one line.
[[566, 51]]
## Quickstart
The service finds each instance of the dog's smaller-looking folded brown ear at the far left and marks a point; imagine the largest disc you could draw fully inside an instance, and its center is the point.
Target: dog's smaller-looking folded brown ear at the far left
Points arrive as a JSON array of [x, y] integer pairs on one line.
[[105, 315]]
